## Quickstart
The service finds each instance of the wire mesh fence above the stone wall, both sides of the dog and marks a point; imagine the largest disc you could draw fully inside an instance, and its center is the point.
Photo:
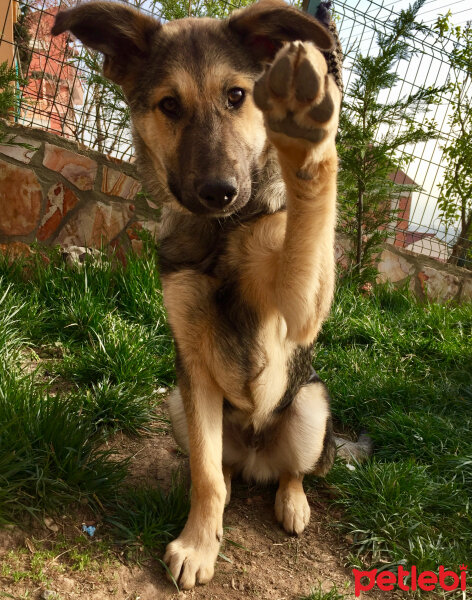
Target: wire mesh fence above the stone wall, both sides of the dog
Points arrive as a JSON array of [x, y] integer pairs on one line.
[[63, 94]]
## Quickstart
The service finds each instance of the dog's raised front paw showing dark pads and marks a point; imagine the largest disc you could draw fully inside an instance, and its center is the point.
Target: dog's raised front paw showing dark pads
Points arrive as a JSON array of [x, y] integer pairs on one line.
[[297, 95]]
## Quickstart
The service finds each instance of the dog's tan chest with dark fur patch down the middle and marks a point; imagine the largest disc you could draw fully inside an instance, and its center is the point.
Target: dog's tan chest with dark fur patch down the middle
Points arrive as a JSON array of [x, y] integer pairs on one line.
[[222, 314]]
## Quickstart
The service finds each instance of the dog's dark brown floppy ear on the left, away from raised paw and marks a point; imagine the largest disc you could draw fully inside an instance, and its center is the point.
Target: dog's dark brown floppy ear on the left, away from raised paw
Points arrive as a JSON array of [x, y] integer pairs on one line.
[[122, 34]]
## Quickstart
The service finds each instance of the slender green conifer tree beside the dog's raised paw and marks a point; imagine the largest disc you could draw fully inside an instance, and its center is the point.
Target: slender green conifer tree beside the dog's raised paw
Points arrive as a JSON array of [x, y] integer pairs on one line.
[[370, 141]]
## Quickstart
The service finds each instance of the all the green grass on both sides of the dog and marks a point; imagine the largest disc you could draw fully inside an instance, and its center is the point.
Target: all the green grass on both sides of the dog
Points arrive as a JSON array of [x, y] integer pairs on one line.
[[398, 368]]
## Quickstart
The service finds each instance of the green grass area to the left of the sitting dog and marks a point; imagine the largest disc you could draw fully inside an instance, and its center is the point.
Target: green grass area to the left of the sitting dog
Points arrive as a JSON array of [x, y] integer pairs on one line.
[[110, 360]]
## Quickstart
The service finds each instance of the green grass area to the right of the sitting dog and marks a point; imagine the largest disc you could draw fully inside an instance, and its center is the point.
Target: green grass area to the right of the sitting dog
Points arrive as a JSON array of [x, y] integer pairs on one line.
[[403, 371]]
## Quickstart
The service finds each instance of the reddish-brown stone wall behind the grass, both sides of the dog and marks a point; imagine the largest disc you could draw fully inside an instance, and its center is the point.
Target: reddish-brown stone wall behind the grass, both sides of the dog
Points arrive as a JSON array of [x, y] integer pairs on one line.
[[55, 192]]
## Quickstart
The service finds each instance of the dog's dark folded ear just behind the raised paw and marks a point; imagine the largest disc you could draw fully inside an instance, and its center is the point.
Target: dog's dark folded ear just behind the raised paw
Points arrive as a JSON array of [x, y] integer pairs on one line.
[[266, 25]]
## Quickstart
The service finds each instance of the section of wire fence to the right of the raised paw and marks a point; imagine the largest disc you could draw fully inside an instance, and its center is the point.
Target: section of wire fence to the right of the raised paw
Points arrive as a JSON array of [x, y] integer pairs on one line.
[[417, 225]]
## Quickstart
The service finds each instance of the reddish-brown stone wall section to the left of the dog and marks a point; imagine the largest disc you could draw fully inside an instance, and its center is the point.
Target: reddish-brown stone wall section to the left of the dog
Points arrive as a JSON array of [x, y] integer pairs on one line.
[[54, 192]]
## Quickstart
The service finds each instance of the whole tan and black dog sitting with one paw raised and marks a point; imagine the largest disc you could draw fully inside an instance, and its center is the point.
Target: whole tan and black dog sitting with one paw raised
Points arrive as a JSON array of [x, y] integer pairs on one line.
[[245, 166]]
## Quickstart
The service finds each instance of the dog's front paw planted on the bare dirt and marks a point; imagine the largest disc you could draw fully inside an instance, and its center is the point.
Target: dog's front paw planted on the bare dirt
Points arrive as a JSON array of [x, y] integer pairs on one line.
[[191, 562]]
